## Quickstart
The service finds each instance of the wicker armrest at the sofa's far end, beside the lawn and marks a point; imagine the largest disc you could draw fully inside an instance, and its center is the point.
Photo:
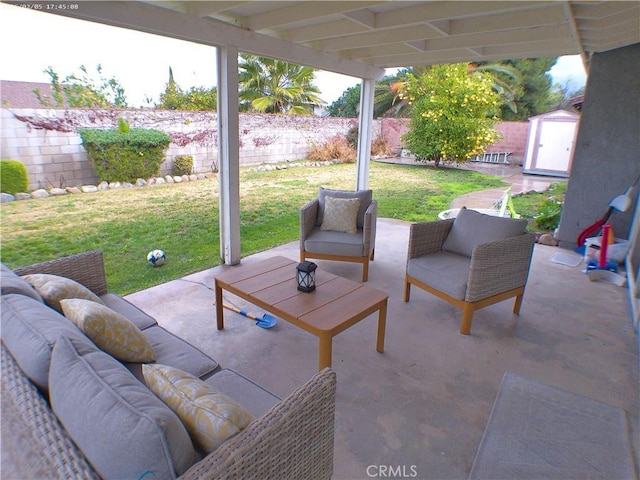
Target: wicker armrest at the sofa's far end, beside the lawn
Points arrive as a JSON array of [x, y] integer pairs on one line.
[[86, 268]]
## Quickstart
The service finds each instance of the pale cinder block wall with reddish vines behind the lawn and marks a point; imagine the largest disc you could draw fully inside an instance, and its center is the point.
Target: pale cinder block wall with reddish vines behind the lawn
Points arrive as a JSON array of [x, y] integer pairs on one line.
[[47, 142]]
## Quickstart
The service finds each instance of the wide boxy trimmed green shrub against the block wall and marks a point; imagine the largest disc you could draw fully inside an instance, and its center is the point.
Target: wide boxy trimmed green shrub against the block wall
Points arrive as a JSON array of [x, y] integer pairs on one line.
[[125, 156]]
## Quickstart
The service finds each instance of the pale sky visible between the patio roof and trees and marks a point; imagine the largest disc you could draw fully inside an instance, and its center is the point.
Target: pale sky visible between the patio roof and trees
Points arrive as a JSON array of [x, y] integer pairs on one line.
[[32, 41]]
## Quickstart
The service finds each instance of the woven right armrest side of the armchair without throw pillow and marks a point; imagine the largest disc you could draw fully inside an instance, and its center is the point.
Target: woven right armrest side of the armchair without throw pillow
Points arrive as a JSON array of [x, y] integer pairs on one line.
[[499, 266]]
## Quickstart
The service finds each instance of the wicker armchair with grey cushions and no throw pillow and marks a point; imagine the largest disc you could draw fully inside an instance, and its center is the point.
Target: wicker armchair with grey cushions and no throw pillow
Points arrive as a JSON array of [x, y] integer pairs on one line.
[[495, 270]]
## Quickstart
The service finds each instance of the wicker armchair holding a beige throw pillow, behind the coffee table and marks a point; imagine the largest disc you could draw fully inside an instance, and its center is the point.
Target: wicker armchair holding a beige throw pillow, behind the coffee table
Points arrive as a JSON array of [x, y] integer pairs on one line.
[[358, 247]]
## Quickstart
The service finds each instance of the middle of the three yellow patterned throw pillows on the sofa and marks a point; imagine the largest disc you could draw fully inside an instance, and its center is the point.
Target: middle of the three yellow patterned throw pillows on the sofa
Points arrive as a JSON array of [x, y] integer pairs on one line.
[[110, 331]]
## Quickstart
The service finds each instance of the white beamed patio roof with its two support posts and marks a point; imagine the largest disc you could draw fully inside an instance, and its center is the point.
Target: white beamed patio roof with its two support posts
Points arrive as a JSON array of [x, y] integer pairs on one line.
[[360, 39]]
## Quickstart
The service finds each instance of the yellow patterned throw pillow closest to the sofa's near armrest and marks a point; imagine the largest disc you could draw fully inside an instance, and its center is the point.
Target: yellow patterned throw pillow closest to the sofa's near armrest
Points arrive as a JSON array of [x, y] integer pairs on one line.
[[210, 416]]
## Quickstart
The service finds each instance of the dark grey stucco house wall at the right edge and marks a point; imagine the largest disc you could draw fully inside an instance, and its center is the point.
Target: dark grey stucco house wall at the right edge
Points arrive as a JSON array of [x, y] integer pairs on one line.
[[606, 158]]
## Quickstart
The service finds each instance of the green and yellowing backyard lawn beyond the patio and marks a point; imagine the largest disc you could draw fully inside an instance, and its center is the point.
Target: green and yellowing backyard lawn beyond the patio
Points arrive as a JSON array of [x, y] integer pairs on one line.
[[182, 219]]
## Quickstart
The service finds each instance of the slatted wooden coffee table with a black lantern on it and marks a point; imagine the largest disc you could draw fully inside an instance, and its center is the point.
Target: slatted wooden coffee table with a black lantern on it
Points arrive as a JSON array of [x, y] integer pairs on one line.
[[336, 304]]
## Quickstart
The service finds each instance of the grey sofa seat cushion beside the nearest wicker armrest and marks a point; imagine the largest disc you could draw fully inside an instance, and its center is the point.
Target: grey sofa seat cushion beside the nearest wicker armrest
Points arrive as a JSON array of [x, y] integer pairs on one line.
[[255, 398]]
